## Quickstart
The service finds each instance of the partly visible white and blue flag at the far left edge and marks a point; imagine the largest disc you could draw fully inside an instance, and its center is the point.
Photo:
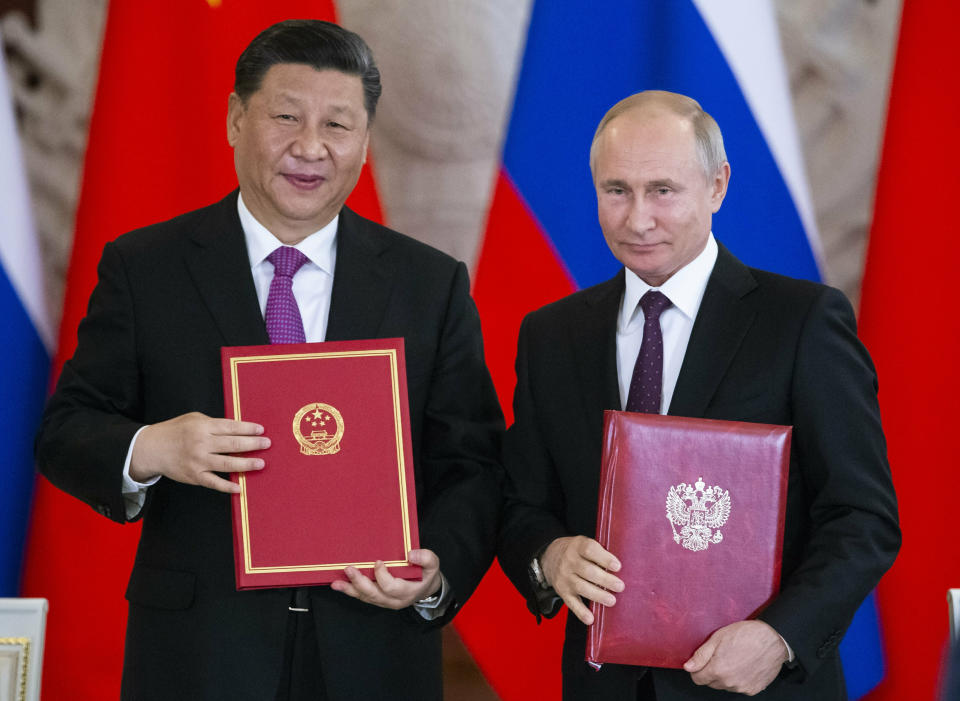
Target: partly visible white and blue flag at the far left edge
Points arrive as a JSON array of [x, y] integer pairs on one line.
[[27, 341]]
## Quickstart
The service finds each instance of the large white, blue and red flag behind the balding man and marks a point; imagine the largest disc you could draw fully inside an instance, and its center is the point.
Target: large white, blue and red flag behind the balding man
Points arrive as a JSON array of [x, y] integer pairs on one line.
[[543, 239]]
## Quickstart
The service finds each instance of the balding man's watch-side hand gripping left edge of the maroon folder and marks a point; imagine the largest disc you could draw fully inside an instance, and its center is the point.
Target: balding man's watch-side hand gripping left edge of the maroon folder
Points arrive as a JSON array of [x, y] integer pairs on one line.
[[578, 566]]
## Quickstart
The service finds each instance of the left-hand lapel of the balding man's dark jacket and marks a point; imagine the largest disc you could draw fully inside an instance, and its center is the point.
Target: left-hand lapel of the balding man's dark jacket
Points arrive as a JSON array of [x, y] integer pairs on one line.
[[594, 340]]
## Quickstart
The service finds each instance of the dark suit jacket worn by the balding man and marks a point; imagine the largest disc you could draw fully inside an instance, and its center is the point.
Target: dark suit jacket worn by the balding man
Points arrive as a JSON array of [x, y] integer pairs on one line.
[[764, 348]]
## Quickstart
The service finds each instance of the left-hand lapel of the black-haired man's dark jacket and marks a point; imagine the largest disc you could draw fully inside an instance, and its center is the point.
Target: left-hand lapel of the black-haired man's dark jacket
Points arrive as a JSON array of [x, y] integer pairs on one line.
[[220, 267]]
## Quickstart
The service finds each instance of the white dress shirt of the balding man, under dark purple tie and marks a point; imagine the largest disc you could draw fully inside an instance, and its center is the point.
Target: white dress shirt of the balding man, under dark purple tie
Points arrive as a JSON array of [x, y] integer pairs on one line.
[[685, 290]]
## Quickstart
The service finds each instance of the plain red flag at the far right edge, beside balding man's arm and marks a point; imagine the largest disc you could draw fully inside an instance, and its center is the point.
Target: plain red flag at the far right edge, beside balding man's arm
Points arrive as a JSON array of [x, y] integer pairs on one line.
[[910, 325]]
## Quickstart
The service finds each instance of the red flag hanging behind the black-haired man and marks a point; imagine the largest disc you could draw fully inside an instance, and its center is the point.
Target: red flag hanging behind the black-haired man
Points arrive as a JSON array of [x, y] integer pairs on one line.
[[157, 148]]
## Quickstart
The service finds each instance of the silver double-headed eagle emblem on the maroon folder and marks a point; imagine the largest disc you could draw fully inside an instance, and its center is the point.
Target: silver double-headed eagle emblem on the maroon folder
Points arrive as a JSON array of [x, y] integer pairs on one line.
[[699, 512]]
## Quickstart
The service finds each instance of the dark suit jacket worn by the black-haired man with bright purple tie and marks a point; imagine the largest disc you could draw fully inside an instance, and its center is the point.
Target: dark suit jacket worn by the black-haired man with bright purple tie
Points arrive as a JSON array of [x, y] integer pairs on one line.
[[168, 297]]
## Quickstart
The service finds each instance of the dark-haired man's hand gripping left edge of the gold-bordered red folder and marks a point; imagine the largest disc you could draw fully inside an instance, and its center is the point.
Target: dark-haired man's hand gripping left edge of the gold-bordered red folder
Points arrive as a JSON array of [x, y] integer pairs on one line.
[[193, 447]]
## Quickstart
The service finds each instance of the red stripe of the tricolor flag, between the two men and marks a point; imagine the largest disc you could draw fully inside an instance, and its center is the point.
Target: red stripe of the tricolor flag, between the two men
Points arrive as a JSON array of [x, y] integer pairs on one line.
[[518, 271]]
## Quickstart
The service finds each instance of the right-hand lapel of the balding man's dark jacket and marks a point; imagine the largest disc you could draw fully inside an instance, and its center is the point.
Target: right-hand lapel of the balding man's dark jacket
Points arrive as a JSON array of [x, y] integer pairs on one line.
[[722, 322]]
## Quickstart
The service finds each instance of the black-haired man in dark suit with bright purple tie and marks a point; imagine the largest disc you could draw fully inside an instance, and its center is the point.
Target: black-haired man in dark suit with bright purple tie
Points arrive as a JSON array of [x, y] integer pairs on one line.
[[132, 428]]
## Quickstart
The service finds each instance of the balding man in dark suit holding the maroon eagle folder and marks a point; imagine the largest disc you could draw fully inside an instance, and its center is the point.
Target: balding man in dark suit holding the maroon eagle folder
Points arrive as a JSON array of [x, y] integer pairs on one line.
[[734, 343]]
